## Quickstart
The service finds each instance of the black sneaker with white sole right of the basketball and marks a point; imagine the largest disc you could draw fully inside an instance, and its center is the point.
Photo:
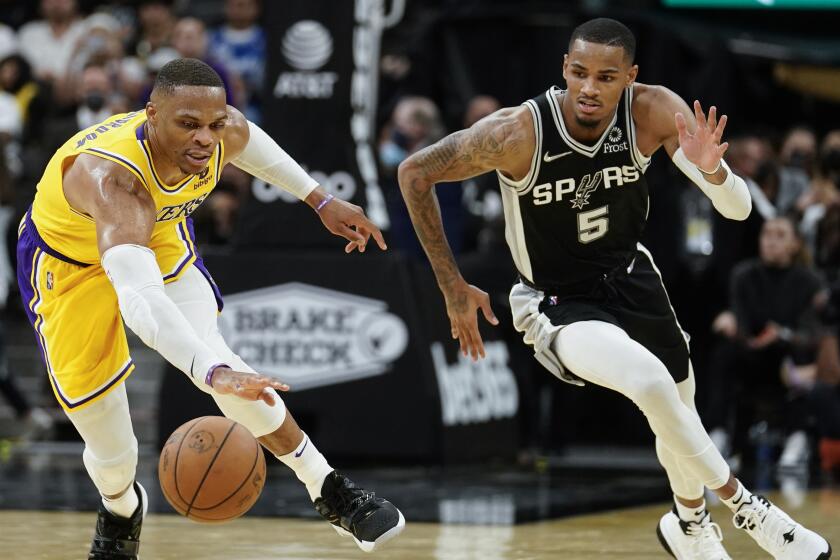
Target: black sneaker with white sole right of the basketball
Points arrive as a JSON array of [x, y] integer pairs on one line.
[[352, 511]]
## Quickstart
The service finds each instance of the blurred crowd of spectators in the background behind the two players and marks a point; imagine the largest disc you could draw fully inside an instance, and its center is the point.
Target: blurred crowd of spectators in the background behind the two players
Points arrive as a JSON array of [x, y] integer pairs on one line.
[[770, 381]]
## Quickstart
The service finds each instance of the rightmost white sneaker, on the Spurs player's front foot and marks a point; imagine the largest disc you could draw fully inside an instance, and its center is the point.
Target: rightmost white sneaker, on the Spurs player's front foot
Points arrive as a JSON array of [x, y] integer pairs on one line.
[[777, 533]]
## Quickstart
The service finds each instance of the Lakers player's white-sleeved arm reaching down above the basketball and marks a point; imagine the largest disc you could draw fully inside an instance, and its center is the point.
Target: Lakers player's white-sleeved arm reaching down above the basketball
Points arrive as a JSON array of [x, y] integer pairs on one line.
[[124, 213]]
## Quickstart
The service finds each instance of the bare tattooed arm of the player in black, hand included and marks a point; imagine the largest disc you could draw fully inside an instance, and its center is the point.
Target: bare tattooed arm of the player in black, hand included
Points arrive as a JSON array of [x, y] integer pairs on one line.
[[503, 141]]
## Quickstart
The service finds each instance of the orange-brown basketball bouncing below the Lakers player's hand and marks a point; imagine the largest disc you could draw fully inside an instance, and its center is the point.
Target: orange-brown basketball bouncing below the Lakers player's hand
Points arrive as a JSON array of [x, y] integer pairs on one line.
[[211, 469]]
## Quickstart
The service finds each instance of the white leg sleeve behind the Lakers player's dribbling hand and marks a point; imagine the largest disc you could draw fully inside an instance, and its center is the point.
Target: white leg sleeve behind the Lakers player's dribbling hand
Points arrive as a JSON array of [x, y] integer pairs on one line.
[[194, 297]]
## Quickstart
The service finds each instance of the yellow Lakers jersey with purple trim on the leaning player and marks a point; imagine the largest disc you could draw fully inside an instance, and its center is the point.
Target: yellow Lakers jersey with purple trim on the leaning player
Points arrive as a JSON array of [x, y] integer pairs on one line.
[[121, 139]]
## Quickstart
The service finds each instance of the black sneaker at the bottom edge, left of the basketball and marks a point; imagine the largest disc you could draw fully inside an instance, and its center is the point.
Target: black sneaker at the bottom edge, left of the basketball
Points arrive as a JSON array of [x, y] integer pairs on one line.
[[118, 538]]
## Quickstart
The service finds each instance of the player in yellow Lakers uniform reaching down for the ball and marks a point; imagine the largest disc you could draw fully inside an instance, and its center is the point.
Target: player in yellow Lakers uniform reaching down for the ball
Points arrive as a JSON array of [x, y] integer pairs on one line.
[[108, 239]]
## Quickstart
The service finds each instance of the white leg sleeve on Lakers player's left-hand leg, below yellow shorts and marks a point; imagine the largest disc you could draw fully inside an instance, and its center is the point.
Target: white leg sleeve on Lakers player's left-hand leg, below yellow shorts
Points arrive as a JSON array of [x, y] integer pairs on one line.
[[110, 454]]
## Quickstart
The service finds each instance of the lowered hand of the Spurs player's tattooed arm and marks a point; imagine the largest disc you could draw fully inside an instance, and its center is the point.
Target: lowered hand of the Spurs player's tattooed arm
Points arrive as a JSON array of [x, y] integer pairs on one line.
[[462, 305]]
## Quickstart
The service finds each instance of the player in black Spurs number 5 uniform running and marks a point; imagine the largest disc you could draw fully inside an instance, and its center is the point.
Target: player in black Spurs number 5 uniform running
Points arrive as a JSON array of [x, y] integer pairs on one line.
[[590, 300]]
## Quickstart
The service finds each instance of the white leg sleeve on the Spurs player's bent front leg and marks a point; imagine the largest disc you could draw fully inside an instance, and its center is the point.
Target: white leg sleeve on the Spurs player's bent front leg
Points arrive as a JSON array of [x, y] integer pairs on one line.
[[604, 354]]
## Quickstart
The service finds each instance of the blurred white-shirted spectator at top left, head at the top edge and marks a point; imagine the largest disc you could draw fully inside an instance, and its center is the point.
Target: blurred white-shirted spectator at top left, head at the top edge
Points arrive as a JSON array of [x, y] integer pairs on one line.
[[48, 44]]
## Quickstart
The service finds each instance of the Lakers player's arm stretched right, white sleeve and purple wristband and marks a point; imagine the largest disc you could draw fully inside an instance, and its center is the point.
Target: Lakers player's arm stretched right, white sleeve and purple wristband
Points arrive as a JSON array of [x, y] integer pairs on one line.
[[255, 152]]
